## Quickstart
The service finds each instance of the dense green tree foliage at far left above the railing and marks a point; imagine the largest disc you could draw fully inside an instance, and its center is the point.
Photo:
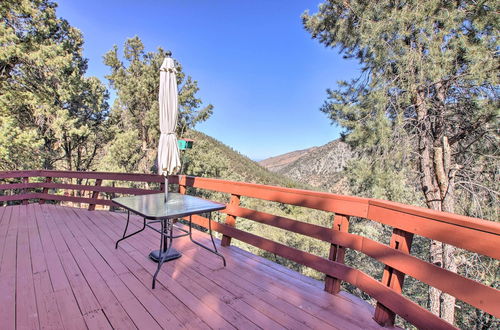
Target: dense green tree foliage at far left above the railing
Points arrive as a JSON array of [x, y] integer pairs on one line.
[[43, 91]]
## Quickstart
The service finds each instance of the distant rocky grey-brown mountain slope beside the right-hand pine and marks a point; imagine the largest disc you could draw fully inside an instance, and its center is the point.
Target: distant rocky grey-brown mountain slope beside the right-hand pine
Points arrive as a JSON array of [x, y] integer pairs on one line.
[[320, 167]]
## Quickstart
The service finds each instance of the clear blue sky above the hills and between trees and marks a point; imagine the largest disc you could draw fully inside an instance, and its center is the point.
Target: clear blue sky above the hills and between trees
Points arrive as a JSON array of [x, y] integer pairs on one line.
[[253, 61]]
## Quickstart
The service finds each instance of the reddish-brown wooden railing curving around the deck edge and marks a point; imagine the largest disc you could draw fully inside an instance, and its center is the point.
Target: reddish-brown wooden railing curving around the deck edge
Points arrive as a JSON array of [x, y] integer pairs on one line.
[[476, 235]]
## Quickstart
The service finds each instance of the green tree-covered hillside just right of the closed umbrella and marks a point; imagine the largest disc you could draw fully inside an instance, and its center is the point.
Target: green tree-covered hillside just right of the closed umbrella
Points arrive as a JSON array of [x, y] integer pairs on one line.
[[213, 159]]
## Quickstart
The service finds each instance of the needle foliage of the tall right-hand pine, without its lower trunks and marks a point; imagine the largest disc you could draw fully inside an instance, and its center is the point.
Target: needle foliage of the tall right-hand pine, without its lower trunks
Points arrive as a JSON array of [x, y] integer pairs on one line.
[[445, 51]]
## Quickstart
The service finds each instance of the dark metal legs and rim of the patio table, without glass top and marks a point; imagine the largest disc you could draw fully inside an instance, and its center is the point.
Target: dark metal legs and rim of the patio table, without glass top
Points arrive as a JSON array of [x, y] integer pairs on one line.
[[167, 223]]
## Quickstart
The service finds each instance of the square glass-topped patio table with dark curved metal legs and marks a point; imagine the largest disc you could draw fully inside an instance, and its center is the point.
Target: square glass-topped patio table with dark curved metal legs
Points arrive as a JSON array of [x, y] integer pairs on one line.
[[154, 208]]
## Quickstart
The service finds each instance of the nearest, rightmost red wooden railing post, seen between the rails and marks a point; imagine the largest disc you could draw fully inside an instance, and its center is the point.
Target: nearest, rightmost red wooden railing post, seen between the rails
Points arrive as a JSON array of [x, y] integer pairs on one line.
[[401, 240]]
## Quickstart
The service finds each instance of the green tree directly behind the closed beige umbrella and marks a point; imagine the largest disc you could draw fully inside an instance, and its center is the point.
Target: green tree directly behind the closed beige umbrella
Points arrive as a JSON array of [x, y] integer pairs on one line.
[[135, 112]]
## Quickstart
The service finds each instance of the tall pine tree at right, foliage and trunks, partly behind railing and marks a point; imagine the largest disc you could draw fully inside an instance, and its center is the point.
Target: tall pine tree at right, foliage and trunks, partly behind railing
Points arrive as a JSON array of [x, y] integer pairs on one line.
[[429, 85]]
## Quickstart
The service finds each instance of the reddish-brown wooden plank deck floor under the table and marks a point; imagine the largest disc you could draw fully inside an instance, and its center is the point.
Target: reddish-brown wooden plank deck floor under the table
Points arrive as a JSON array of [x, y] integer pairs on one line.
[[59, 269]]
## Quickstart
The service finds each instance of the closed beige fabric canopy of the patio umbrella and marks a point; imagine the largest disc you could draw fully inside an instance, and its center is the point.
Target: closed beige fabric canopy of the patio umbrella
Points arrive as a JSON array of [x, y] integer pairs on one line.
[[168, 151]]
